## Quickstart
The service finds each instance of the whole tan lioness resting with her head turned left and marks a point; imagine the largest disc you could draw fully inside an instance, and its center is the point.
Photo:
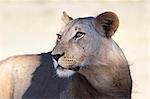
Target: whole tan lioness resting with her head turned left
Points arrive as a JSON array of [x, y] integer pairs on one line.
[[89, 65]]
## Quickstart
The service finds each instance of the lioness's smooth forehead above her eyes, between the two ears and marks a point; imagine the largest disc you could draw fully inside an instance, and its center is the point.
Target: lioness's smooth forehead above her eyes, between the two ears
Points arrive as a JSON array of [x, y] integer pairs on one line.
[[79, 24]]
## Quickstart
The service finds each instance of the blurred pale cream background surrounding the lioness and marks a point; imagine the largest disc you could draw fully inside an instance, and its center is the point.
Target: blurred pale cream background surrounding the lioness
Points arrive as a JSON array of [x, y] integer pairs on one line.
[[30, 26]]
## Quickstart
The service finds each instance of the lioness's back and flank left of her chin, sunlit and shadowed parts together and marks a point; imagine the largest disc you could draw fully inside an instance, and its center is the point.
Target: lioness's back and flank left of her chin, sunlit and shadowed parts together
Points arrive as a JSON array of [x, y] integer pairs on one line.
[[29, 76]]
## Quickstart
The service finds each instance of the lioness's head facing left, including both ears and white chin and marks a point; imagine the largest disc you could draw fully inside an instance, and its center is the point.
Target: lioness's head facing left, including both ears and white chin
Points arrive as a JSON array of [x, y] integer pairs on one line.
[[81, 42]]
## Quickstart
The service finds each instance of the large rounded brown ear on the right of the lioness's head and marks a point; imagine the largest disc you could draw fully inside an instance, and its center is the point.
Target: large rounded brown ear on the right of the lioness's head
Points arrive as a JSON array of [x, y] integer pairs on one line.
[[106, 23]]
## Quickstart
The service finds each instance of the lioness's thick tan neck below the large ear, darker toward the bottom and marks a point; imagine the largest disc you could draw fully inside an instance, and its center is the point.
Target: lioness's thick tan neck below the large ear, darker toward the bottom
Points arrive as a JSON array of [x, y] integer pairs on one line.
[[112, 80]]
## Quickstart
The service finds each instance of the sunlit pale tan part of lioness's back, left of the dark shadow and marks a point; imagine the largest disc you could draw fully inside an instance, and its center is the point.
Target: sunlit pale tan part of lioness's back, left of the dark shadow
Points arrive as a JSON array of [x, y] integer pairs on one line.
[[15, 75]]
